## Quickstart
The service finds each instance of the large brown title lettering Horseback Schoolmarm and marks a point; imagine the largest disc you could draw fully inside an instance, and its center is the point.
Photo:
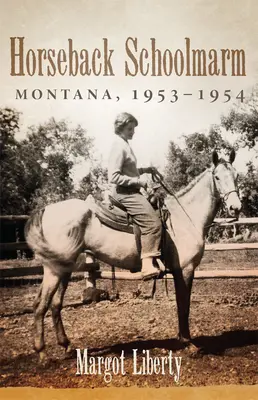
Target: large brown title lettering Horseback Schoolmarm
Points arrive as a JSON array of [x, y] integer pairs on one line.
[[133, 59]]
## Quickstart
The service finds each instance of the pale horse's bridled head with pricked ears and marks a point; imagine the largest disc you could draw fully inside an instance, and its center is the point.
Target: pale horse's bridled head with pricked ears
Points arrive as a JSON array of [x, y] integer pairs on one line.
[[225, 180]]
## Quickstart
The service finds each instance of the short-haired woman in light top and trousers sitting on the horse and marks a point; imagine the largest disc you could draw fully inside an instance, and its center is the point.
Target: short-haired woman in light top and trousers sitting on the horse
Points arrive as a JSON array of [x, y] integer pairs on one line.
[[125, 177]]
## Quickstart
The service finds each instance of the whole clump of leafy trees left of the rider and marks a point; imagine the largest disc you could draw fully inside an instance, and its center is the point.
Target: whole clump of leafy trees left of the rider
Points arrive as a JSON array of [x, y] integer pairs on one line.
[[38, 170]]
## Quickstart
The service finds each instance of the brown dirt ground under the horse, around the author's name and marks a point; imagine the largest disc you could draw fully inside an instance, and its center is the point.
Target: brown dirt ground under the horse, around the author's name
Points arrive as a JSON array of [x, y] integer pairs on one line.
[[223, 326]]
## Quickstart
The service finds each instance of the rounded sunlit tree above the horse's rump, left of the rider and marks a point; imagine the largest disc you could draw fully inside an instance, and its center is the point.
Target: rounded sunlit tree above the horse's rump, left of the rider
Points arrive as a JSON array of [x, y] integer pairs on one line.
[[49, 153]]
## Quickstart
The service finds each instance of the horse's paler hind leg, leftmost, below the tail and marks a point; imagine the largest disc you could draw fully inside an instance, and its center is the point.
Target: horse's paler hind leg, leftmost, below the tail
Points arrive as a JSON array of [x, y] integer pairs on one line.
[[48, 288]]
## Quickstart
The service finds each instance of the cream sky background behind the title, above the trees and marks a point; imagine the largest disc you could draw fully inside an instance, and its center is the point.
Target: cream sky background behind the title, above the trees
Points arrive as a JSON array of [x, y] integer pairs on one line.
[[208, 23]]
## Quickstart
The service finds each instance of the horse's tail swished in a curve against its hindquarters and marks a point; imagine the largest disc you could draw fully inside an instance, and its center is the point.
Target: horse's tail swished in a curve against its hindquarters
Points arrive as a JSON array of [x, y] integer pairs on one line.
[[37, 242]]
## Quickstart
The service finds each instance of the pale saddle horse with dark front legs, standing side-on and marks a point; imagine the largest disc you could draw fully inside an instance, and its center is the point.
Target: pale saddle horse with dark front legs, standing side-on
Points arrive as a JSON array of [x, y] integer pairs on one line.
[[60, 232]]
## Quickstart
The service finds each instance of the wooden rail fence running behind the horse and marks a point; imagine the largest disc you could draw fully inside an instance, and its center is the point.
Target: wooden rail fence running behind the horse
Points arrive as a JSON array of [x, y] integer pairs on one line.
[[93, 268]]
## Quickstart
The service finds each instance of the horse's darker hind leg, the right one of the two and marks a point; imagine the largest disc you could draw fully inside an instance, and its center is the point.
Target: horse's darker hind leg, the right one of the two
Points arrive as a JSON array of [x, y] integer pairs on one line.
[[56, 307]]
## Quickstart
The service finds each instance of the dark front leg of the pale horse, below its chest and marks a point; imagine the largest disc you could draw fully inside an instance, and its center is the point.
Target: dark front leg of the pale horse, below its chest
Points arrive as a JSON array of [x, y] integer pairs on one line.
[[183, 285]]
